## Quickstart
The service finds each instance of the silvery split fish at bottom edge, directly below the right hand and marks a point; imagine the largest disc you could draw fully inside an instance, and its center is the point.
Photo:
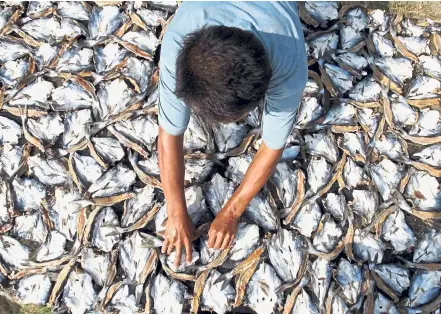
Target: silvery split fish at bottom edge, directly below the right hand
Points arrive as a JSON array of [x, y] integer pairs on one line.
[[216, 298]]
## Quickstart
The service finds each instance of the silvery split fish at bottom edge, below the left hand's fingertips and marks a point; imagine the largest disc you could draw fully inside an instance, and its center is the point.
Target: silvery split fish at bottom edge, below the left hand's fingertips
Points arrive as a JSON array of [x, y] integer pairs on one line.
[[168, 295]]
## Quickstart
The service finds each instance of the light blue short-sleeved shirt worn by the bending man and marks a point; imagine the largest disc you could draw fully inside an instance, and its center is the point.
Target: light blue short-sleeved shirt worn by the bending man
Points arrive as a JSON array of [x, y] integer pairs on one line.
[[277, 25]]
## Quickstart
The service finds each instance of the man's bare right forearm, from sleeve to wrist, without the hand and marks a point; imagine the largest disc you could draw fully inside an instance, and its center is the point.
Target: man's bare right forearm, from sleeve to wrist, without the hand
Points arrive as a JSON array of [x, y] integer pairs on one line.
[[257, 174]]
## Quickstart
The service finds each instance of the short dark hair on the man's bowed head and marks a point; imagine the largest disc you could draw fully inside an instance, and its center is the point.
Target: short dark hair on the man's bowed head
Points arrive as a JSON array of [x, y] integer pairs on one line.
[[222, 73]]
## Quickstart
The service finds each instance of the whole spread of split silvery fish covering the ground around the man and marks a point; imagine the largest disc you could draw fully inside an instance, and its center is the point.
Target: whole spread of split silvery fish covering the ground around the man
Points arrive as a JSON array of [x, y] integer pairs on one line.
[[348, 223]]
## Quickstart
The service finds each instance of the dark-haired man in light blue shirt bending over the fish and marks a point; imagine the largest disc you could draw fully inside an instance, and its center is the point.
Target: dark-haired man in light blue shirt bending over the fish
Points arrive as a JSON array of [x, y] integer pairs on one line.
[[221, 60]]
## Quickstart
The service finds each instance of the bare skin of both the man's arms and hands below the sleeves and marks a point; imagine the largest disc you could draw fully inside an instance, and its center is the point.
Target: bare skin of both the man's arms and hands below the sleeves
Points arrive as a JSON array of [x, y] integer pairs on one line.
[[179, 231]]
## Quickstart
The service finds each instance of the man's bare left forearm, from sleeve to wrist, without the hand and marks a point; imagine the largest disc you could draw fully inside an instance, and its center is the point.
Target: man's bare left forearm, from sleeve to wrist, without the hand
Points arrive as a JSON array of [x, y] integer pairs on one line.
[[171, 166]]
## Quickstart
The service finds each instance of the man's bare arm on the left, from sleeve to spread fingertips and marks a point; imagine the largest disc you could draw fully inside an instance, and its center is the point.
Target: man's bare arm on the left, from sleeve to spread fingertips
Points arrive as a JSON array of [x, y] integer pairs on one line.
[[179, 228]]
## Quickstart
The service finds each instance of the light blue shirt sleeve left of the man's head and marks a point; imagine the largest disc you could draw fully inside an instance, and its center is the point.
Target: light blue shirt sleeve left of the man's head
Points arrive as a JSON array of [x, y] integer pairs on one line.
[[174, 115]]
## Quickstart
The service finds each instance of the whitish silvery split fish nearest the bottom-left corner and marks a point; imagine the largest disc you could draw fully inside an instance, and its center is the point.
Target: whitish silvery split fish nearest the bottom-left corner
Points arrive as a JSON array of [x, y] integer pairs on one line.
[[34, 289]]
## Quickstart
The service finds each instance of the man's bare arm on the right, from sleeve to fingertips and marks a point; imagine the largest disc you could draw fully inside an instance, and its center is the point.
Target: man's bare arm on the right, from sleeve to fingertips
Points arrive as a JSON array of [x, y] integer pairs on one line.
[[224, 227]]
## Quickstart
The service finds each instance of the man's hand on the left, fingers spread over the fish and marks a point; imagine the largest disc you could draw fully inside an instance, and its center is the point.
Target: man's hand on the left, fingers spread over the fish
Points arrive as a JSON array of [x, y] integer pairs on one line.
[[179, 233]]
